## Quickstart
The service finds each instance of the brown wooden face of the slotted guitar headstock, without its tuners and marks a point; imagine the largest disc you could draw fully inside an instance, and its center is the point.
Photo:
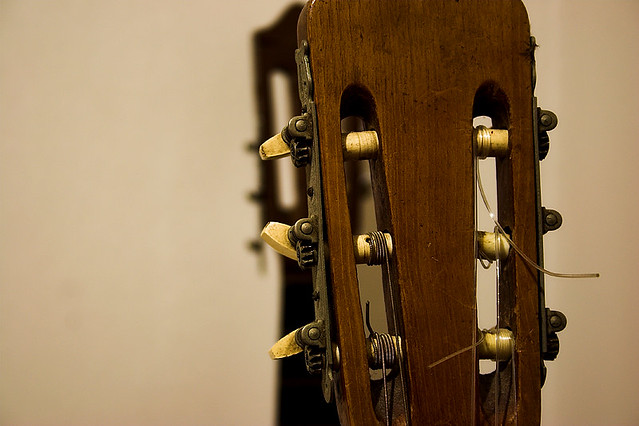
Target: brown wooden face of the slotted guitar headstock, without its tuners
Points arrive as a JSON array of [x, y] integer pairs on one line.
[[422, 64]]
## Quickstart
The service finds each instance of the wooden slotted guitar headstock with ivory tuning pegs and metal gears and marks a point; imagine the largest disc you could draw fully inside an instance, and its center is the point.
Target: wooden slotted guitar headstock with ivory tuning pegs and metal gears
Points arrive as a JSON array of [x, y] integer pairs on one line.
[[397, 85]]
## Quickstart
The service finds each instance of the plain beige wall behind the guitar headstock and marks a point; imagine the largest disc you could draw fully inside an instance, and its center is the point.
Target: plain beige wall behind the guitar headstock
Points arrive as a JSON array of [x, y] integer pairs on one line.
[[127, 295]]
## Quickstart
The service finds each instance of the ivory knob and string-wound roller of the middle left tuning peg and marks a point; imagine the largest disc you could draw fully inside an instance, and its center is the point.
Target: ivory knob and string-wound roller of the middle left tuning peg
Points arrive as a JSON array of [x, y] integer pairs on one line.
[[366, 247]]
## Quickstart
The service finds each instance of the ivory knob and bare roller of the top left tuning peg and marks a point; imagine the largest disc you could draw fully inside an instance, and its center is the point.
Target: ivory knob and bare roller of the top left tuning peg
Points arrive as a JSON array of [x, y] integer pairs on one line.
[[356, 146]]
